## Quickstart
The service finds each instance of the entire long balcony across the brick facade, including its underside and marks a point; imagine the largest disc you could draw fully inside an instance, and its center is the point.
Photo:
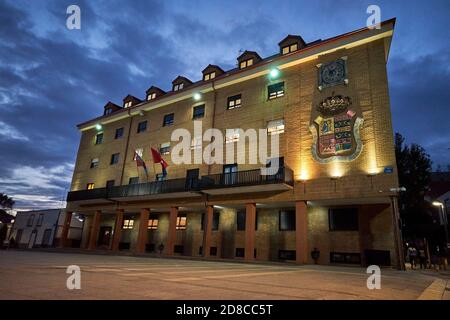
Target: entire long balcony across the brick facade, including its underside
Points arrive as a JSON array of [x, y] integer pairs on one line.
[[224, 183]]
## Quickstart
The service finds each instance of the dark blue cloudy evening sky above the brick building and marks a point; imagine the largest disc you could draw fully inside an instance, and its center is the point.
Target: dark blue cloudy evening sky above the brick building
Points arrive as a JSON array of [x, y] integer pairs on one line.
[[52, 78]]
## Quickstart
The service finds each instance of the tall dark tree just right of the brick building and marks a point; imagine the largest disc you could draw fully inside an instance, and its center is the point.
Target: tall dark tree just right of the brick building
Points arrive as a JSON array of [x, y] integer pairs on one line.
[[414, 172]]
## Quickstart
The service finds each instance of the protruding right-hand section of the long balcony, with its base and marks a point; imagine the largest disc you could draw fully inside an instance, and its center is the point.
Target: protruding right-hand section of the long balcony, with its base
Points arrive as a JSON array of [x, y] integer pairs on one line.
[[247, 181]]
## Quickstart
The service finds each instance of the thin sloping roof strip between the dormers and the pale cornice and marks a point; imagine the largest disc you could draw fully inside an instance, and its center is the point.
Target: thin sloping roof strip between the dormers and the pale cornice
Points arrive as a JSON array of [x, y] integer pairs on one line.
[[267, 60]]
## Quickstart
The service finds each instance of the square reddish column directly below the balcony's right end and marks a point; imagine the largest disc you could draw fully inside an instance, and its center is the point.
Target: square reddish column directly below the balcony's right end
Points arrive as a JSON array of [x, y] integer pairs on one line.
[[301, 232]]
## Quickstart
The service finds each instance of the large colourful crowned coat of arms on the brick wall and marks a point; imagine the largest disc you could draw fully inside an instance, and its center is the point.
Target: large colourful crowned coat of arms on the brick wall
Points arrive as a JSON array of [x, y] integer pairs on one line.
[[335, 130]]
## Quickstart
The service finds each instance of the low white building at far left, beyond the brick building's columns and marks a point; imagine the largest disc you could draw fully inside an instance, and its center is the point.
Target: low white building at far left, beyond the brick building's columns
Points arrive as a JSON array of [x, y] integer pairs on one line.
[[42, 228]]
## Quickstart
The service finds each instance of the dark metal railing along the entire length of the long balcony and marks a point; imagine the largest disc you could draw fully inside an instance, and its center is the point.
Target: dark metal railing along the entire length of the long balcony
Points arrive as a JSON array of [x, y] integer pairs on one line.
[[223, 180]]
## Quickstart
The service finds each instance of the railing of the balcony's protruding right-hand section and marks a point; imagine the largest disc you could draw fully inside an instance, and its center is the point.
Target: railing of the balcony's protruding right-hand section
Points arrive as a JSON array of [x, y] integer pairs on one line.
[[246, 178]]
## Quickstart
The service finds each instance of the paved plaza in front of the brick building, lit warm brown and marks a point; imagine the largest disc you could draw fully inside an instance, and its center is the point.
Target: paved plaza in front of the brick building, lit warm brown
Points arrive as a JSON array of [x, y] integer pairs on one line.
[[42, 275]]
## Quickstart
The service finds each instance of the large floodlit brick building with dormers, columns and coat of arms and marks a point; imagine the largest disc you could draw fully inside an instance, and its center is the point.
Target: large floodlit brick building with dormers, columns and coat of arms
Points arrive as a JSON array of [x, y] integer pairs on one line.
[[331, 198]]
